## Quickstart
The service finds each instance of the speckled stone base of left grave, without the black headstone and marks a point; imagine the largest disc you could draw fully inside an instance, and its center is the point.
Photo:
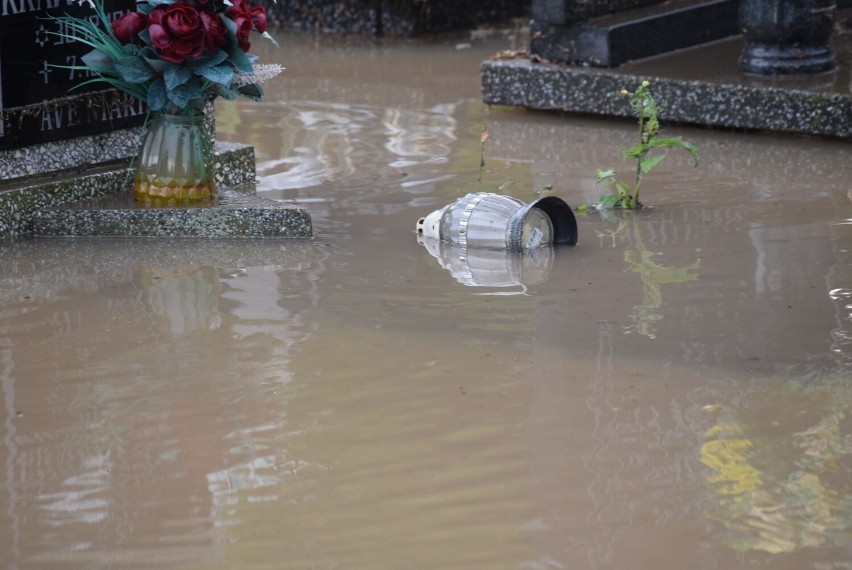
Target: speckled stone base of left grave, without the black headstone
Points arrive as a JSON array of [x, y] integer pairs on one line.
[[98, 201]]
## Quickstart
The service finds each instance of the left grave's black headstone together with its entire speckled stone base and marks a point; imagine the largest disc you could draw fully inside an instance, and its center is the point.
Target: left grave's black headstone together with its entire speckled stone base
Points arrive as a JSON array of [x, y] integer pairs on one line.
[[65, 154]]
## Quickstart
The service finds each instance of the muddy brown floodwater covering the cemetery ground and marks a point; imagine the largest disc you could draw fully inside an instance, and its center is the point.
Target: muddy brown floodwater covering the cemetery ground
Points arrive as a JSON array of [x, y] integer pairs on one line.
[[673, 392]]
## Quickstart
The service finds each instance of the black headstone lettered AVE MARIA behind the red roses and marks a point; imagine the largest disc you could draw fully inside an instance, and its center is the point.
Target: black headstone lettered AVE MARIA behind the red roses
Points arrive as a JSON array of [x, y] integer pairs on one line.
[[35, 103]]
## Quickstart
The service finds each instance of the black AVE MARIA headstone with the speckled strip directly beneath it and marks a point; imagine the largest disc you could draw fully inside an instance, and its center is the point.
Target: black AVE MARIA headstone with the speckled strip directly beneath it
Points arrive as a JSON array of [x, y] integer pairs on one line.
[[35, 104]]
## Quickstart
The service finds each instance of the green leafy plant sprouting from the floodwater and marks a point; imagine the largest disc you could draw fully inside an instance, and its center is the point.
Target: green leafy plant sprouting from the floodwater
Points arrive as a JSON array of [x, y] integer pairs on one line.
[[626, 195]]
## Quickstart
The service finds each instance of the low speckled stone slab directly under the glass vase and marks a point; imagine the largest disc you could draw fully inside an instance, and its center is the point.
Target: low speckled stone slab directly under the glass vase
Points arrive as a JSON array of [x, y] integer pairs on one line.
[[233, 213]]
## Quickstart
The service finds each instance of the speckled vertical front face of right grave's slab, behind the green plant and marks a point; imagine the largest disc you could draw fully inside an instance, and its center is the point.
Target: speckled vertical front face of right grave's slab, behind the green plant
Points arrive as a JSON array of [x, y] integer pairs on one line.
[[521, 83]]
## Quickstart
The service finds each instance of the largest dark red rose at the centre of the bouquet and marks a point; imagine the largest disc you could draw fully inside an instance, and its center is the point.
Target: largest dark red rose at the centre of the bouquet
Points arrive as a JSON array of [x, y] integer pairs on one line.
[[177, 31]]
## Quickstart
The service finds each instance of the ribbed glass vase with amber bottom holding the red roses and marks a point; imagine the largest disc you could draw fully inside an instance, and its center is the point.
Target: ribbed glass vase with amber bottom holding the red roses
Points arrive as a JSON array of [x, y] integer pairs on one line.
[[175, 162]]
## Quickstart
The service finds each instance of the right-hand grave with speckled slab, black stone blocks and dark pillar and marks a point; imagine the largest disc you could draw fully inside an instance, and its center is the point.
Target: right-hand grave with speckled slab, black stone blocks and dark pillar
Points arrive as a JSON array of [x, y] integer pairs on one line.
[[790, 41]]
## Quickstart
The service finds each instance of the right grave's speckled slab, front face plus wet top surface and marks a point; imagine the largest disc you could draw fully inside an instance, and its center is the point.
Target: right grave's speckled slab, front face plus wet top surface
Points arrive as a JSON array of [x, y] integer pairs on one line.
[[700, 86]]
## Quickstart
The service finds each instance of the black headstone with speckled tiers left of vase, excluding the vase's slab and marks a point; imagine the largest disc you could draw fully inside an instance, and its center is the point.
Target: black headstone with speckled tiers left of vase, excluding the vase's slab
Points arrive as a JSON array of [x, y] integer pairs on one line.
[[50, 138]]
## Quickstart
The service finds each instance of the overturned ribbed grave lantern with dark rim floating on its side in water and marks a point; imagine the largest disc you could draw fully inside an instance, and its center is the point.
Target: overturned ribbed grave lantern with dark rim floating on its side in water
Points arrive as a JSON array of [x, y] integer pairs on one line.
[[494, 221]]
